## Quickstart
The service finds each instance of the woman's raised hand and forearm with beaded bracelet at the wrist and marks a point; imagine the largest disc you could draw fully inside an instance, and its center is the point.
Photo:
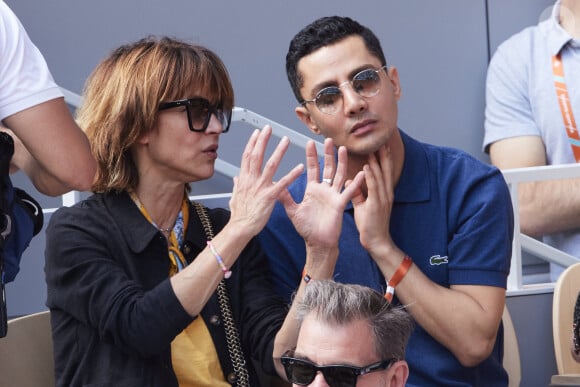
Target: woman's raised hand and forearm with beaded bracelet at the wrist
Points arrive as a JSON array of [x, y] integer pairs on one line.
[[253, 198]]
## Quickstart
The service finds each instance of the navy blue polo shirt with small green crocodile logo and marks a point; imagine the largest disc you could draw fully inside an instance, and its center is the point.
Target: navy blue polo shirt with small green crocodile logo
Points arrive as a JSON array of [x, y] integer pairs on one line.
[[453, 216]]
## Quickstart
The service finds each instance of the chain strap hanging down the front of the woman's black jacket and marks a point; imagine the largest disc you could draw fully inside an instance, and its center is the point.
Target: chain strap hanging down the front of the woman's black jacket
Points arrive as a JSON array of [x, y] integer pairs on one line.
[[232, 335]]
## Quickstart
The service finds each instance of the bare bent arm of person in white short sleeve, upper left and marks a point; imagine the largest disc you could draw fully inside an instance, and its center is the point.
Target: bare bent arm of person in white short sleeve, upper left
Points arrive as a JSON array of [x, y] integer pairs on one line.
[[51, 149]]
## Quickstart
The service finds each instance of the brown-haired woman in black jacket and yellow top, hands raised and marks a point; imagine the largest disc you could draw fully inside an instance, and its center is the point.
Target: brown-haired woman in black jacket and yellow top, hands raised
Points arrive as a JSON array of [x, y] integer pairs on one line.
[[133, 272]]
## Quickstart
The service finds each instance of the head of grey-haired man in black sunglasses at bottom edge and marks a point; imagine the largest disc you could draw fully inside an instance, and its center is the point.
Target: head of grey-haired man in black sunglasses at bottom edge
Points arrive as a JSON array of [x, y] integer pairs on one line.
[[350, 336]]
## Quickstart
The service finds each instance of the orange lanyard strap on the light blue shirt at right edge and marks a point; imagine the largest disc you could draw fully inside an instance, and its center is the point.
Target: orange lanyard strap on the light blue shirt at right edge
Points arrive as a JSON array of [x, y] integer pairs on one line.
[[566, 105]]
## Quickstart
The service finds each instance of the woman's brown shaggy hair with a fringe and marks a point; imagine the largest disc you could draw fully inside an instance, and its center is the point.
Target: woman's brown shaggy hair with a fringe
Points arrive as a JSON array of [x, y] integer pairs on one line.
[[123, 93]]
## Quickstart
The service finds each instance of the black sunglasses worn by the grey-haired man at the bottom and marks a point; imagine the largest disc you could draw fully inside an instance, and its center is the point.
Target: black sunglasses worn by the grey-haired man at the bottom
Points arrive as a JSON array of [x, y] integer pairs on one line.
[[302, 372]]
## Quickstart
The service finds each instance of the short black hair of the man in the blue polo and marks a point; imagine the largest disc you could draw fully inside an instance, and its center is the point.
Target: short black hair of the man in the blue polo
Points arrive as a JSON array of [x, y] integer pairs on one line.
[[323, 32]]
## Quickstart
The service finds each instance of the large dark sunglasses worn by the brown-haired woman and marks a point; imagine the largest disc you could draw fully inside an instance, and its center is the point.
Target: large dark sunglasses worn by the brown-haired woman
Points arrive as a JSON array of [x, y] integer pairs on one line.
[[199, 112]]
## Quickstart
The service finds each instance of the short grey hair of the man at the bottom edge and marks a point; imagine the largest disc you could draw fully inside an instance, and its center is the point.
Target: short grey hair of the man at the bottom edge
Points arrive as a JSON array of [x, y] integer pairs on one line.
[[338, 304]]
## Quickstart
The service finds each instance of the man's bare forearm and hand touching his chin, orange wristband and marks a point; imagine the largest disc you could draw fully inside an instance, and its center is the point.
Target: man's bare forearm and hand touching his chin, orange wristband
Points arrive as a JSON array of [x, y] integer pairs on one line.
[[464, 319]]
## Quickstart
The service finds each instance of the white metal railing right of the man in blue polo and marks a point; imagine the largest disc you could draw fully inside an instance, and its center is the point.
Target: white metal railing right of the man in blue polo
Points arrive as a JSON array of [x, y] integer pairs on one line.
[[525, 243]]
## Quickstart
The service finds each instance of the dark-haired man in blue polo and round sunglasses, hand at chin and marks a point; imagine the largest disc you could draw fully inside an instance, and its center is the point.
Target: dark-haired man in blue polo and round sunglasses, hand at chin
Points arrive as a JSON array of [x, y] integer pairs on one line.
[[431, 223]]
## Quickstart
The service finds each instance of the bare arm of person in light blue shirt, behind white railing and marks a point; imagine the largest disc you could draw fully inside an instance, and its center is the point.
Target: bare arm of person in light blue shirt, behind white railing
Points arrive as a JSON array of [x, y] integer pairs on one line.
[[545, 207]]
